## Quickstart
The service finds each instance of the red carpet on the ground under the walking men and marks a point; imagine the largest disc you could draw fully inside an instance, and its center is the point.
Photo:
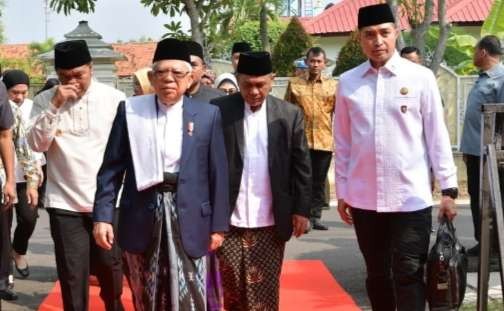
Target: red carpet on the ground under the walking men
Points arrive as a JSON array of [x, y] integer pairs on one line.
[[305, 285]]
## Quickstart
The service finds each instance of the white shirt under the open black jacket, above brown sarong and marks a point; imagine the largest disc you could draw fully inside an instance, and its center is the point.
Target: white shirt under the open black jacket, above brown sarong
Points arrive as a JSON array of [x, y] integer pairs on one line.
[[254, 205]]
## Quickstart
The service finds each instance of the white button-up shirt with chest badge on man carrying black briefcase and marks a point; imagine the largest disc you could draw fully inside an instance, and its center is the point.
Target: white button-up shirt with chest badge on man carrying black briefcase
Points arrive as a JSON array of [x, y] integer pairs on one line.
[[389, 130]]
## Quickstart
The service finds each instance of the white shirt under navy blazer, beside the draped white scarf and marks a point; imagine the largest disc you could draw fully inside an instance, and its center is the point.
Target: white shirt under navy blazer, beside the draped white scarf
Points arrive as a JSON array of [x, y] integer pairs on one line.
[[170, 131]]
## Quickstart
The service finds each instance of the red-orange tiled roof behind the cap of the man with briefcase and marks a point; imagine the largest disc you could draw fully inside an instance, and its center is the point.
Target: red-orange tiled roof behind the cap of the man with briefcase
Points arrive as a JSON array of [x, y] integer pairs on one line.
[[342, 17]]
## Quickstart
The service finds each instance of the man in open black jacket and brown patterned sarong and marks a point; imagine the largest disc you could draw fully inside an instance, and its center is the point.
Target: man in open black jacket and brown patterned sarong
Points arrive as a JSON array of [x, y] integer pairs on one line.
[[270, 185]]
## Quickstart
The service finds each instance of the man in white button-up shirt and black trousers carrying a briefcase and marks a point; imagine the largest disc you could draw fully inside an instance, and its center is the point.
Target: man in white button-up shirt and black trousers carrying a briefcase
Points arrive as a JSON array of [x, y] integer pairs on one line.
[[389, 130]]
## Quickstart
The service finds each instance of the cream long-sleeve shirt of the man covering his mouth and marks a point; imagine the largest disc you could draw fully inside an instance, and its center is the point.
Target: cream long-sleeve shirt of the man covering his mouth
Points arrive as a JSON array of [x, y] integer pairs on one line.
[[75, 137]]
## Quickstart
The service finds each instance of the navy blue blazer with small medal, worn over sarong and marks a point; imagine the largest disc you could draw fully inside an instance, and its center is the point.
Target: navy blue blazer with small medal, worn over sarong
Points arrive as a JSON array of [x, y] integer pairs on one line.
[[202, 194]]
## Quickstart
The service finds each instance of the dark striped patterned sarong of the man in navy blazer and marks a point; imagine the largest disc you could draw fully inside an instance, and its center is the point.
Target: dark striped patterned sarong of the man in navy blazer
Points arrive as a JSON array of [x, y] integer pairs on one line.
[[165, 277]]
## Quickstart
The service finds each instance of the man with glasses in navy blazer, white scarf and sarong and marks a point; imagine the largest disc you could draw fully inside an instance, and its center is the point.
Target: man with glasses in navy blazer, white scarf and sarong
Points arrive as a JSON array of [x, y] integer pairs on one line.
[[151, 135]]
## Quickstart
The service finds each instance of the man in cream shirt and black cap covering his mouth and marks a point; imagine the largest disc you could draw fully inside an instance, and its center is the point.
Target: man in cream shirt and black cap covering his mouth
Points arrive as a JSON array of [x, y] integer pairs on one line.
[[72, 124]]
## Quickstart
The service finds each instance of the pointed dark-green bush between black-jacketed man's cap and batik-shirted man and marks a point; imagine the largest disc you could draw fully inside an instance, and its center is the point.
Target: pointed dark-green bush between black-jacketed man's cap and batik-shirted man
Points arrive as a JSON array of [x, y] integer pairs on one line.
[[293, 44]]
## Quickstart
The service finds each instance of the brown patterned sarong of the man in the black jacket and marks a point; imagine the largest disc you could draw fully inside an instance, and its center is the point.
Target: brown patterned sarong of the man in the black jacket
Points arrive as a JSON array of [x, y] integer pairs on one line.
[[251, 263]]
